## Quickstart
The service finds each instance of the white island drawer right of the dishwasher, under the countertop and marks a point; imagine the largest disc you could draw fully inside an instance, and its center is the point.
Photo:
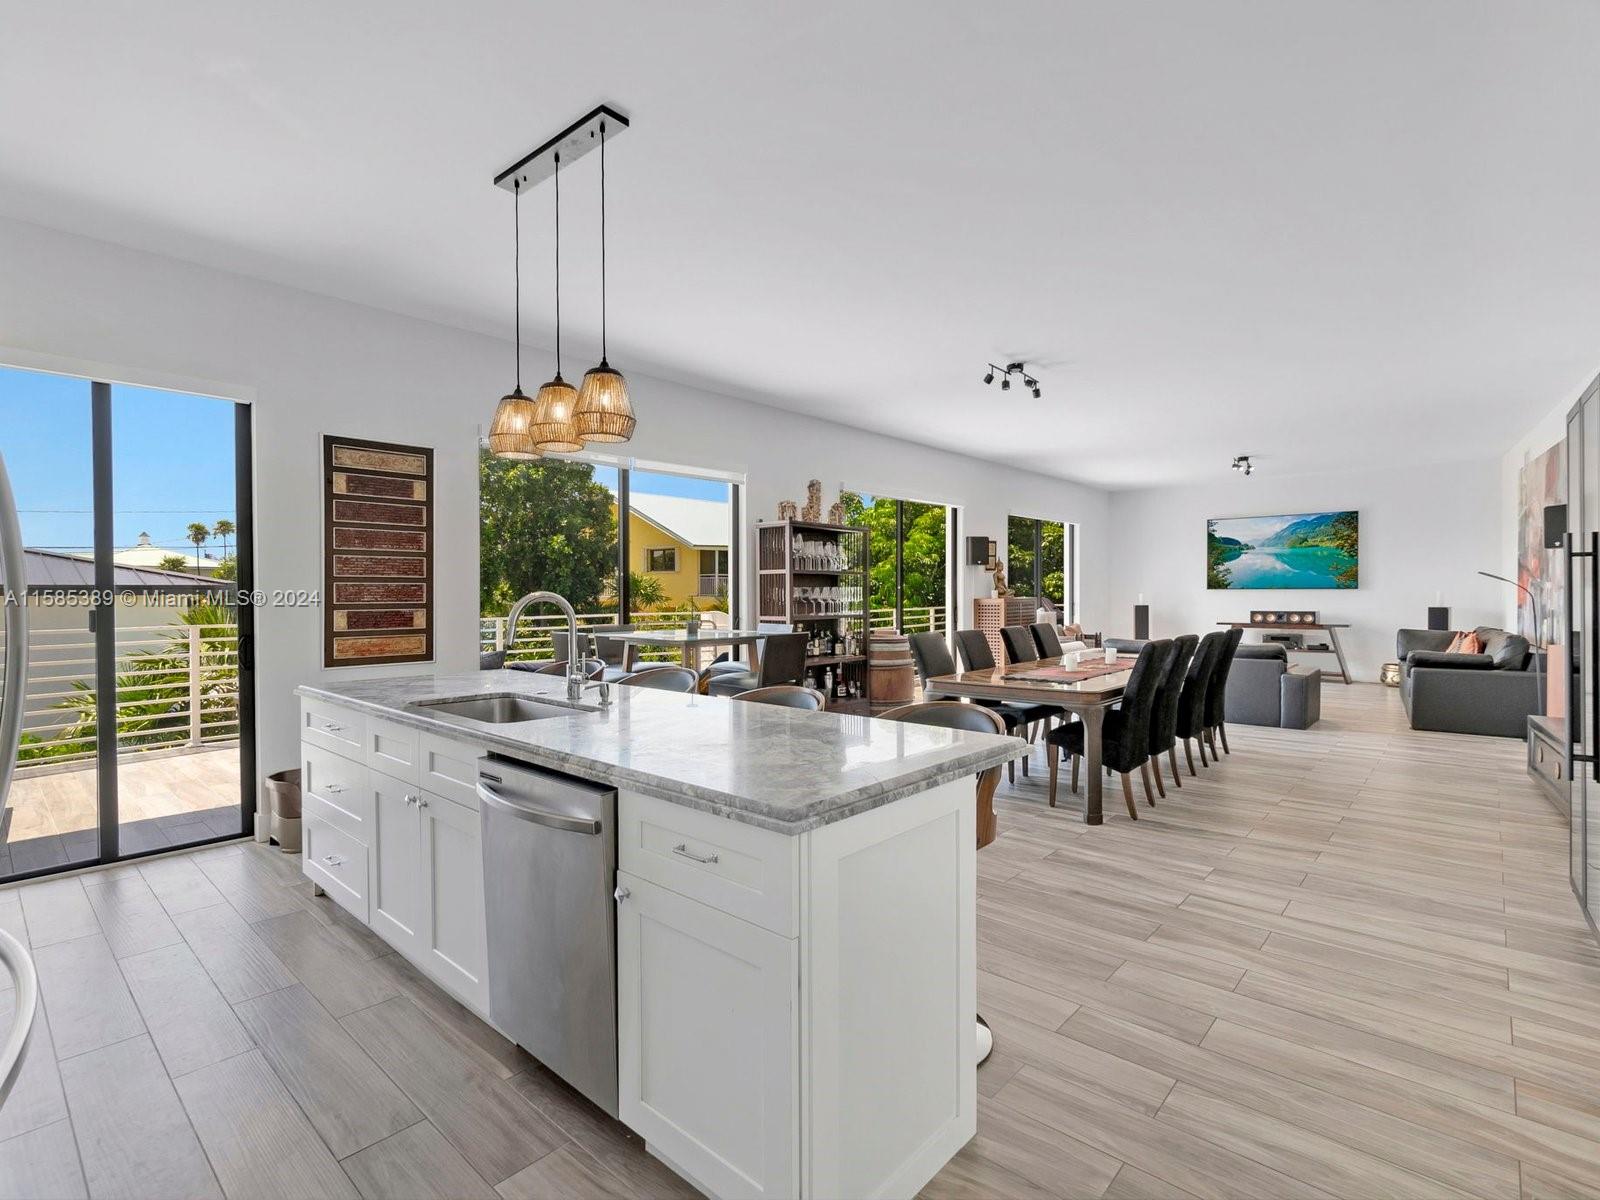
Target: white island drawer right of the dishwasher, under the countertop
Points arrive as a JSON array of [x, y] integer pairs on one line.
[[740, 870]]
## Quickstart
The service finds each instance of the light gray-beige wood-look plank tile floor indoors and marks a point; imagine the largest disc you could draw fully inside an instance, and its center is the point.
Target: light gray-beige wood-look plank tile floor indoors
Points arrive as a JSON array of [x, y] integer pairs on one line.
[[1345, 962]]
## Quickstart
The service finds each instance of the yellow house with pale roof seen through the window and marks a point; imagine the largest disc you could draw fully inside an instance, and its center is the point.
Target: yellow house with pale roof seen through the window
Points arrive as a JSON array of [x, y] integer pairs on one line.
[[682, 545]]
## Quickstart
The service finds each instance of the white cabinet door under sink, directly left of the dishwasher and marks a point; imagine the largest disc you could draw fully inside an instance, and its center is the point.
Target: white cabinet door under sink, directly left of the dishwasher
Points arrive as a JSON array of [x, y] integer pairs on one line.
[[455, 938]]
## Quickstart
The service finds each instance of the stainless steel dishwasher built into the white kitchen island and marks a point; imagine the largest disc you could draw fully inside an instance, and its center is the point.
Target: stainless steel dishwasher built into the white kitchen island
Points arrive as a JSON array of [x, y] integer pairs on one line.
[[550, 870]]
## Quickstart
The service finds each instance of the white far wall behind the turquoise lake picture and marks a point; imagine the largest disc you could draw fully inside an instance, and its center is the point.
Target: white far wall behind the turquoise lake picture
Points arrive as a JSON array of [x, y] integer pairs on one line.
[[1426, 529]]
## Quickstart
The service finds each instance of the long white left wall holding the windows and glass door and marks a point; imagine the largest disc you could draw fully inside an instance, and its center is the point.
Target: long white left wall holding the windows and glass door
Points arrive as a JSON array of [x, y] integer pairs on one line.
[[314, 366]]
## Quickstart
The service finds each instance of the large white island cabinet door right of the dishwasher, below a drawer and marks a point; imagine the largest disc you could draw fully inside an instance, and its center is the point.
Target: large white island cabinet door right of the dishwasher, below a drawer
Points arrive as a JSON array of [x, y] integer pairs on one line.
[[708, 1041]]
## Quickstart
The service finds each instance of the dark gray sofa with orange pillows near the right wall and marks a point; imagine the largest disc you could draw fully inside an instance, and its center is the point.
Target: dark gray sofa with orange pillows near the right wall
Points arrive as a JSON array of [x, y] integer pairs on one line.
[[1490, 694]]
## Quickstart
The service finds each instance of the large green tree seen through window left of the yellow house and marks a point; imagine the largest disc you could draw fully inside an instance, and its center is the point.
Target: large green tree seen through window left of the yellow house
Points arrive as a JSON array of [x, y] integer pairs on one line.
[[543, 526]]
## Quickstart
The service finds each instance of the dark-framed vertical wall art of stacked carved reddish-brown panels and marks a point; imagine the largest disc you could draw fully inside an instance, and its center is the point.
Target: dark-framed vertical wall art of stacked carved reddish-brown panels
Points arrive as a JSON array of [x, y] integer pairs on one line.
[[378, 553]]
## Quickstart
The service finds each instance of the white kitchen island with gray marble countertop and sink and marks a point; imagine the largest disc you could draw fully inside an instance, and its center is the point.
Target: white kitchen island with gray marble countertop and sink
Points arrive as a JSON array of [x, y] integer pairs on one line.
[[794, 906]]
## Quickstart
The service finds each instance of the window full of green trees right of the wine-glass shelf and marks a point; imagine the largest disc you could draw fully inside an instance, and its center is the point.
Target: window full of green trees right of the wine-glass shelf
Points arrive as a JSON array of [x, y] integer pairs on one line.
[[910, 548]]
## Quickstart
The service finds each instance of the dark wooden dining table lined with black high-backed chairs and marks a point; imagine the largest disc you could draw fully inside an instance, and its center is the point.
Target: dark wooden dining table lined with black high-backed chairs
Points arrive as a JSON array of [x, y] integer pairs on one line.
[[1087, 690]]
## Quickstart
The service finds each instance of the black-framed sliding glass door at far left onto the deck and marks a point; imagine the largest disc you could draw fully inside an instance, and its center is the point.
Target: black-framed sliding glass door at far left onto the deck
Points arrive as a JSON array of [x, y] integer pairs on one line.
[[138, 718]]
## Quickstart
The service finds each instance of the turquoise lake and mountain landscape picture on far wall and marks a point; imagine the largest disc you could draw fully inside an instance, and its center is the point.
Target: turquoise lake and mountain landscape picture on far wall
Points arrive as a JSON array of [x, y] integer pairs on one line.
[[1297, 550]]
